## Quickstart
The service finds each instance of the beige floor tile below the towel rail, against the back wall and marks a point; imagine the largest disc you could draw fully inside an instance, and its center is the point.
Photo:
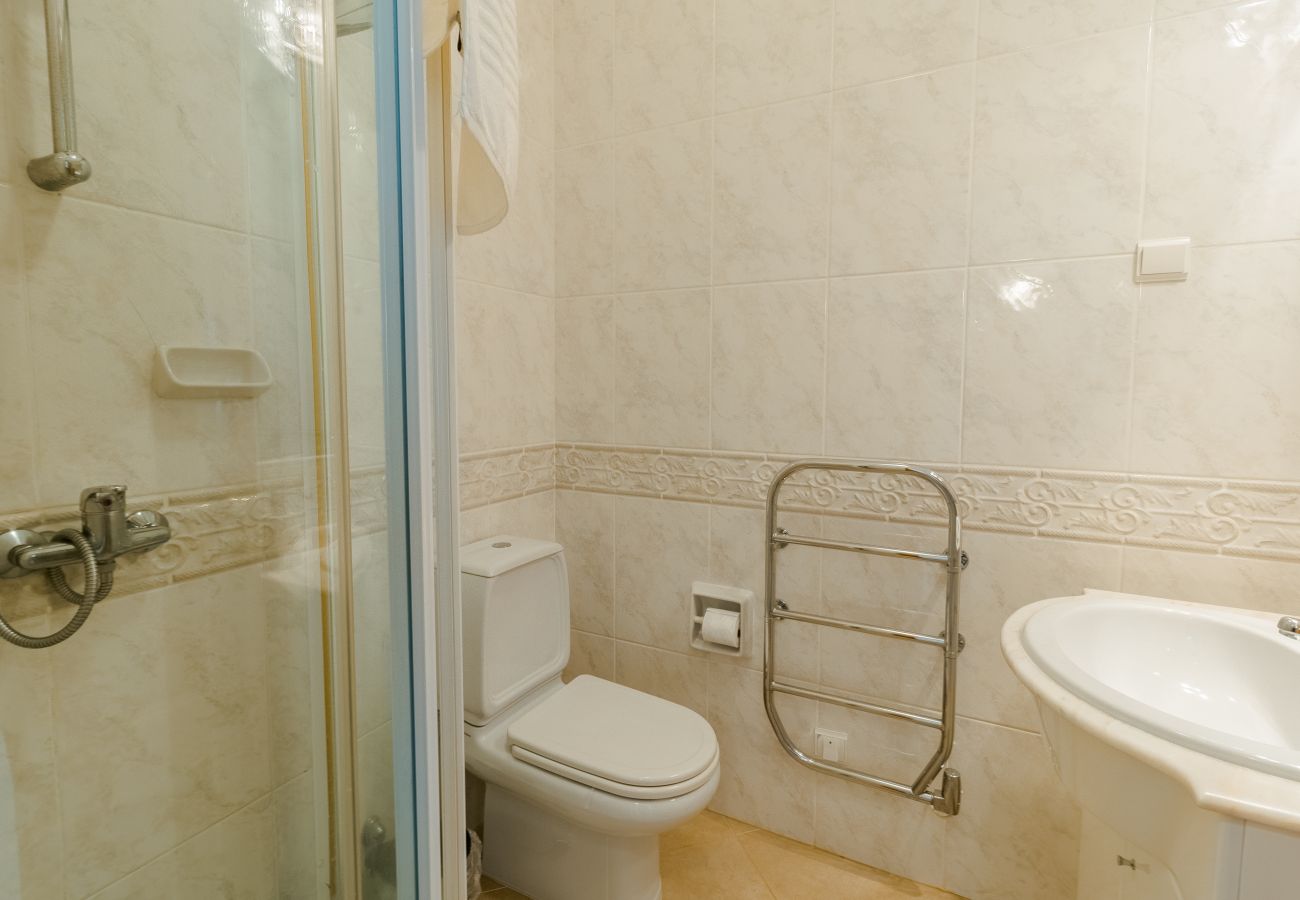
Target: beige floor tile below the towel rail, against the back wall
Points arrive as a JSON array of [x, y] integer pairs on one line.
[[799, 872]]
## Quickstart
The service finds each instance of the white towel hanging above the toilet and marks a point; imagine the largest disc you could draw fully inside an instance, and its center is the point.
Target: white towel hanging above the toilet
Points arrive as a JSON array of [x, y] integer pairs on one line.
[[489, 114]]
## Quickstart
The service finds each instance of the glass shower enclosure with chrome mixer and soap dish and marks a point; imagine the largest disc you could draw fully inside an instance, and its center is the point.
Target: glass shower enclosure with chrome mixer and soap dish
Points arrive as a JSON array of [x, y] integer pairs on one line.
[[206, 304]]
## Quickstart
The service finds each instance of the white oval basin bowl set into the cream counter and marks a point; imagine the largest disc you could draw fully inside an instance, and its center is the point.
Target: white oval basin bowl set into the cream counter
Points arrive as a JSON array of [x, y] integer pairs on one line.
[[1212, 680]]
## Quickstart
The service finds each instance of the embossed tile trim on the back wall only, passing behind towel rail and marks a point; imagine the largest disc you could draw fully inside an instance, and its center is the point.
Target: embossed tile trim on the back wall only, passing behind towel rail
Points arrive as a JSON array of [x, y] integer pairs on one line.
[[1207, 516]]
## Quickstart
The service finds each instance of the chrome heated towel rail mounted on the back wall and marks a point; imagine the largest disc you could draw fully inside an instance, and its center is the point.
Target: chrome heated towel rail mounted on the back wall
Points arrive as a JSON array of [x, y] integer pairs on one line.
[[947, 798]]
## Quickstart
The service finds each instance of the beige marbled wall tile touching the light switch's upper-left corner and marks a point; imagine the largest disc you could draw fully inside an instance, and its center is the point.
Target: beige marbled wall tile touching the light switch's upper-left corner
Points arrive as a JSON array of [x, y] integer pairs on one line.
[[1059, 139]]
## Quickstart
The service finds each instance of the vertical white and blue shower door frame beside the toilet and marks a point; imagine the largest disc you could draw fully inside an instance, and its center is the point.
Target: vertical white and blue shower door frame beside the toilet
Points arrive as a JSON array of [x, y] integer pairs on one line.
[[414, 131]]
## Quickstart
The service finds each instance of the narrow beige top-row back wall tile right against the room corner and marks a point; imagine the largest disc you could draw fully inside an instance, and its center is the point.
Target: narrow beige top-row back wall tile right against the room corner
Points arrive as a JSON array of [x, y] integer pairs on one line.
[[584, 71]]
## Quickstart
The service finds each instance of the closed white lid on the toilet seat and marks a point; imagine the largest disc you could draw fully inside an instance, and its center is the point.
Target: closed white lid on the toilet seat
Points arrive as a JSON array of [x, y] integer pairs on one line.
[[617, 738]]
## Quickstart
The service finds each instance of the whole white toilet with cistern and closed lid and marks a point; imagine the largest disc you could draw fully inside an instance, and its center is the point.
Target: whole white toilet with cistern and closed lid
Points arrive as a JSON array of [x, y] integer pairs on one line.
[[584, 777]]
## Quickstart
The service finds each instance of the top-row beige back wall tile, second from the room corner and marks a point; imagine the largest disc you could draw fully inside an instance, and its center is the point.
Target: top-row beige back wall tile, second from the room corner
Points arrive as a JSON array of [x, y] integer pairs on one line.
[[664, 63]]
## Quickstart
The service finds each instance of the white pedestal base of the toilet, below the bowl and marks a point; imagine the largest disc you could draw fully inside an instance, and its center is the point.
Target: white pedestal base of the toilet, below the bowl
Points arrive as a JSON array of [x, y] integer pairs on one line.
[[548, 858]]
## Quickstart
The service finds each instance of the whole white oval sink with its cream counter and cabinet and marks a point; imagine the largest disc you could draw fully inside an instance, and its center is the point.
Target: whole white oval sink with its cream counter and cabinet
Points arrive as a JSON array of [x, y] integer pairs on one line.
[[1177, 728]]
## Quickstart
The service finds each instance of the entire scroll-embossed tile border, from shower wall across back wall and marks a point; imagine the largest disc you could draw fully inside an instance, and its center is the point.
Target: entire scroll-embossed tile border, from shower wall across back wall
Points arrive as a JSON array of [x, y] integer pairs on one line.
[[224, 529]]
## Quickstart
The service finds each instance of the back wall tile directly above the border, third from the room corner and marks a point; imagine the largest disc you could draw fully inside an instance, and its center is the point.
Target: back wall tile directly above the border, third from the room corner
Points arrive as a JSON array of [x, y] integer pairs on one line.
[[769, 364]]
